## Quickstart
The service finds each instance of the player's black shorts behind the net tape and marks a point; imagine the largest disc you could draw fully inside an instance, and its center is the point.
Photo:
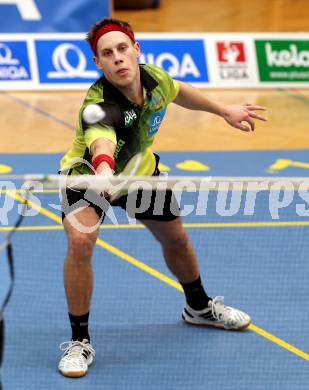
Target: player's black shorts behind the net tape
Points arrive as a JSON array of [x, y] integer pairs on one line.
[[160, 205]]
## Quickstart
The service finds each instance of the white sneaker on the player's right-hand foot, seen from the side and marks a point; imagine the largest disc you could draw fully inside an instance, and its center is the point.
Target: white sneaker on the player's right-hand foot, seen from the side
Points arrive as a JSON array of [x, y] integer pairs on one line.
[[217, 315]]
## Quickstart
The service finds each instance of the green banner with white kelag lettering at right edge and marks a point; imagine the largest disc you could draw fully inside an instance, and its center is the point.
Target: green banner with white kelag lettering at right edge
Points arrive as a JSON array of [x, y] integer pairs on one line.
[[283, 60]]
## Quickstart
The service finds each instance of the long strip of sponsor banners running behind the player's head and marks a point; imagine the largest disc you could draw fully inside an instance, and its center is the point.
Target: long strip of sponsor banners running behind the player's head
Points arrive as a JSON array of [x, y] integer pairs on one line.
[[64, 61]]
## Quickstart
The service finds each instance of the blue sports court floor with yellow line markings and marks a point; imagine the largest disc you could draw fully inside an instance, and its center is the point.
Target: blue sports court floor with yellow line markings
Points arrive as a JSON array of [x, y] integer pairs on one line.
[[258, 263]]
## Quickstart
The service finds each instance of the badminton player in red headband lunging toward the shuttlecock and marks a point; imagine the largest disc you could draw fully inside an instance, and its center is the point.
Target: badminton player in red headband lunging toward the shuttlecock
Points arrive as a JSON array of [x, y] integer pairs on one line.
[[119, 119]]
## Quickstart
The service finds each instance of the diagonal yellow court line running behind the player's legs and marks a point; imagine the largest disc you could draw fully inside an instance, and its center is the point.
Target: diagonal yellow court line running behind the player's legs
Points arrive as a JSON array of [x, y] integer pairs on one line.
[[166, 279]]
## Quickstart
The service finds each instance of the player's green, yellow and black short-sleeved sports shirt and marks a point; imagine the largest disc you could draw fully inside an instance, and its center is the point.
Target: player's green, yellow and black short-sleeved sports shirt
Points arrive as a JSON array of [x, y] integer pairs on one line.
[[131, 127]]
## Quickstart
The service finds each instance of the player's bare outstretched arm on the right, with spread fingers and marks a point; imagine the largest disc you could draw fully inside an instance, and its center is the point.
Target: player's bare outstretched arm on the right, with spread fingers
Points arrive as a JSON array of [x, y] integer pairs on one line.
[[233, 114]]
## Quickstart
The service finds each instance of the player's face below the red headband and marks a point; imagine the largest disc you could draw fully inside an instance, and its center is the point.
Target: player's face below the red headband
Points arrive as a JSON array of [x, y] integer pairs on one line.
[[117, 58]]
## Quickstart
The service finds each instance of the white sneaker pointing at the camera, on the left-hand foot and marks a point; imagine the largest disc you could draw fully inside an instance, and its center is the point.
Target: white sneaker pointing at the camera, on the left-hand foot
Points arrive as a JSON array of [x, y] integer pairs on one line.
[[77, 357]]
